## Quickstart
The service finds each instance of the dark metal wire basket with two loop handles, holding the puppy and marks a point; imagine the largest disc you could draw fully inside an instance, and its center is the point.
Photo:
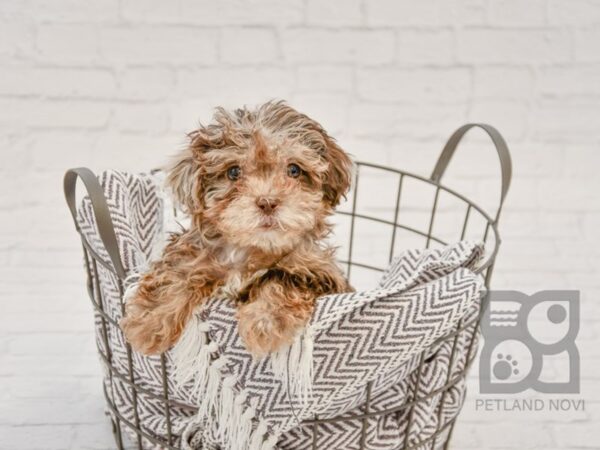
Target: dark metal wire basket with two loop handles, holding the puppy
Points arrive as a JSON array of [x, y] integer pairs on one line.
[[384, 221]]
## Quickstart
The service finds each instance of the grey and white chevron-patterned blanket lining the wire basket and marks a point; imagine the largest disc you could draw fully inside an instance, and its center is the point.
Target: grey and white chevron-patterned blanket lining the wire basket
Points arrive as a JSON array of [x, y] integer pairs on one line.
[[221, 398]]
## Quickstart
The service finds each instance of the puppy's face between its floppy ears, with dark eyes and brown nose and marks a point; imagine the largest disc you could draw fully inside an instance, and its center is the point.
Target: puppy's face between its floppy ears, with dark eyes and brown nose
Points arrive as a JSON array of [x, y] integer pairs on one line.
[[265, 193]]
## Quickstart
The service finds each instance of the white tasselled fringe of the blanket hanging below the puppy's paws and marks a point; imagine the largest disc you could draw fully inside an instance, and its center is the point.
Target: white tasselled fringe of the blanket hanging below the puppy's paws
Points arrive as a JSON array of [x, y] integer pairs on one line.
[[230, 412]]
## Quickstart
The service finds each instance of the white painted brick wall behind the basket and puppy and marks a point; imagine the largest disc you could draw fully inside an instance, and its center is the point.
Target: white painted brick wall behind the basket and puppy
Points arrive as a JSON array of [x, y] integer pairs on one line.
[[117, 83]]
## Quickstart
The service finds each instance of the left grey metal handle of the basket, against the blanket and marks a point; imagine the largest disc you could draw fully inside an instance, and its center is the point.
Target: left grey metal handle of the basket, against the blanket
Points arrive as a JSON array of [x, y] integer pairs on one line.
[[104, 223]]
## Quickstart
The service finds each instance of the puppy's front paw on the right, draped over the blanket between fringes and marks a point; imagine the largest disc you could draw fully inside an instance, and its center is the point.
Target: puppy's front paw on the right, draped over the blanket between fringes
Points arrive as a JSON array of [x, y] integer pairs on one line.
[[261, 330]]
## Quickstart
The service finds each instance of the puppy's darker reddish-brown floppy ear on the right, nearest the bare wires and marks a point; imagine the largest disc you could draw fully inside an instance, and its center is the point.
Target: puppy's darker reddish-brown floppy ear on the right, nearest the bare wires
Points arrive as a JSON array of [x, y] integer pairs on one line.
[[338, 176]]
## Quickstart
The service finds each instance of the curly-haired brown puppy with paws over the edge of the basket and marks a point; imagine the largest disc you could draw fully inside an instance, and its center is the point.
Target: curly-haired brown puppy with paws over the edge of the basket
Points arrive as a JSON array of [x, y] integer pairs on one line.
[[259, 186]]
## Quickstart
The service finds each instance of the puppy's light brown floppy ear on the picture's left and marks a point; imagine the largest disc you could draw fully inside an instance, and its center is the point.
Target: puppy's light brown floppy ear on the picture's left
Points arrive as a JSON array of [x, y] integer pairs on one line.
[[184, 180]]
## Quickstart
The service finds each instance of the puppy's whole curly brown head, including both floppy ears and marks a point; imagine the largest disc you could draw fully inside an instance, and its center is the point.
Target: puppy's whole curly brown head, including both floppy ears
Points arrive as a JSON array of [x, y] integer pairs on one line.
[[262, 179]]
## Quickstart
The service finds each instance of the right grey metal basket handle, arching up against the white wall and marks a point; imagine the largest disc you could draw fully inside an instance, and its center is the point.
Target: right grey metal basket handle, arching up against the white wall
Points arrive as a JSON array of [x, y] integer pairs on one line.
[[501, 148]]
